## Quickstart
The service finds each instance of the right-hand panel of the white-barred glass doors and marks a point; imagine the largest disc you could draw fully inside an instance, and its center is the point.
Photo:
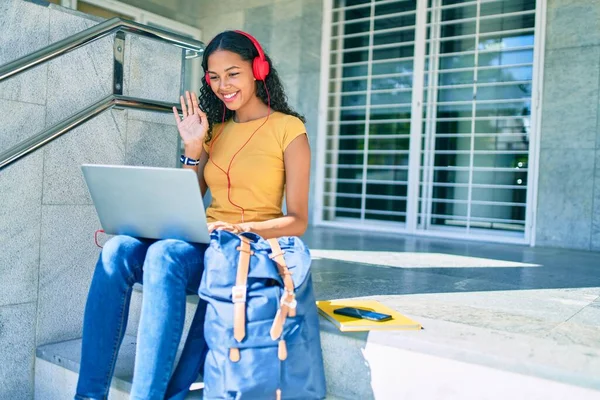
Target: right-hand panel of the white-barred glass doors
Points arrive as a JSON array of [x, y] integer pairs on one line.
[[475, 154]]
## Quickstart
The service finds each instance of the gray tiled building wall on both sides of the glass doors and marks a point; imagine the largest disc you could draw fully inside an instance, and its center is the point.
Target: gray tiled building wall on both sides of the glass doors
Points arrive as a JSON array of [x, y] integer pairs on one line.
[[568, 207]]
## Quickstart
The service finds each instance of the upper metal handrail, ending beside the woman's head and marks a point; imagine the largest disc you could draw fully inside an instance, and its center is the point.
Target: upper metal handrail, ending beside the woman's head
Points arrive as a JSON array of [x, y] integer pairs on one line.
[[94, 33]]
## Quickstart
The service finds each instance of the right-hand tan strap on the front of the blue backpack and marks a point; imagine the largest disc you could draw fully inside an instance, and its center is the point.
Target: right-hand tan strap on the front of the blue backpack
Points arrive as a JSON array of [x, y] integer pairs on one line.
[[288, 300]]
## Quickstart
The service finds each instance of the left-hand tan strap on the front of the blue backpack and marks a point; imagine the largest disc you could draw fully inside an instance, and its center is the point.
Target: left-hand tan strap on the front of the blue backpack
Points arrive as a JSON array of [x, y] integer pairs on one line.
[[238, 293]]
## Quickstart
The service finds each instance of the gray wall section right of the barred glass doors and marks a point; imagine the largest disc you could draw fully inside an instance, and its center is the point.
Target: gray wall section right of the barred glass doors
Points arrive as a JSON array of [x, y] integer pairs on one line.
[[569, 173]]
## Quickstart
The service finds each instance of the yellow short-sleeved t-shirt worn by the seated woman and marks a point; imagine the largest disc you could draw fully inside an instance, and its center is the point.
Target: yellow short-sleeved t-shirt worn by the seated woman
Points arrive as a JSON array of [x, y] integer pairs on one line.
[[257, 173]]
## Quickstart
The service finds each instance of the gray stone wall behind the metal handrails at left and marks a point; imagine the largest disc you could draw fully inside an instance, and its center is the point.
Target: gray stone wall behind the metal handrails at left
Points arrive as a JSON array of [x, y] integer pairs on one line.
[[47, 220]]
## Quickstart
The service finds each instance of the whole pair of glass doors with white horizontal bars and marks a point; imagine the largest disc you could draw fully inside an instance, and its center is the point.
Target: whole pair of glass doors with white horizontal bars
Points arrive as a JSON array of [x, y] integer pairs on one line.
[[453, 81]]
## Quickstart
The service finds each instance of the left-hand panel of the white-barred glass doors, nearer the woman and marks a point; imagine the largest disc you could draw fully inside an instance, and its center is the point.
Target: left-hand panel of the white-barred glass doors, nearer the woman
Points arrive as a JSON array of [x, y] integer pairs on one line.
[[369, 111]]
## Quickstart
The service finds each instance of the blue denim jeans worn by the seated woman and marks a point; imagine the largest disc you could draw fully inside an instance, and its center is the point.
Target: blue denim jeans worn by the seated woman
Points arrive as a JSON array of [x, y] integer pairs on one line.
[[168, 269]]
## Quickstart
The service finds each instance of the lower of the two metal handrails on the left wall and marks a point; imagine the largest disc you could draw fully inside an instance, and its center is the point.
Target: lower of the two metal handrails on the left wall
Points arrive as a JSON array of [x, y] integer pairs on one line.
[[30, 145]]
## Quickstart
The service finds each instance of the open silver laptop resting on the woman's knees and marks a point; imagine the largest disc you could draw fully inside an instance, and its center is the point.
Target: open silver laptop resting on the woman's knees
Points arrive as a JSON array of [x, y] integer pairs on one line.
[[148, 202]]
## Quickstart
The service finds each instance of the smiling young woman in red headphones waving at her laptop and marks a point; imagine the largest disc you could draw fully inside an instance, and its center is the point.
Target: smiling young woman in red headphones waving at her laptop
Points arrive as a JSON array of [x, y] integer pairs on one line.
[[249, 148]]
